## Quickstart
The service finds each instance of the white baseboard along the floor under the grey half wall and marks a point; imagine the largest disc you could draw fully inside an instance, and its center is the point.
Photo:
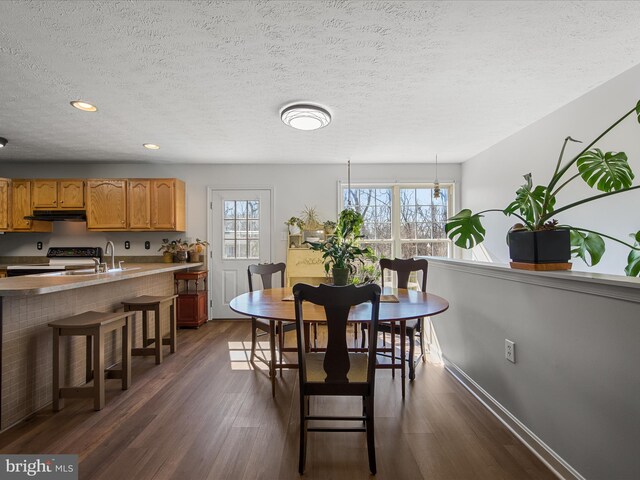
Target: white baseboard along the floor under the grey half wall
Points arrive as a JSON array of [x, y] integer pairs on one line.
[[541, 450]]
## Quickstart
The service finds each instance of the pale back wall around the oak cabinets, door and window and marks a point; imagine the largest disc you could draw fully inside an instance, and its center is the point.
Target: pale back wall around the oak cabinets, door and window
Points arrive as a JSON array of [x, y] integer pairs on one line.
[[294, 186]]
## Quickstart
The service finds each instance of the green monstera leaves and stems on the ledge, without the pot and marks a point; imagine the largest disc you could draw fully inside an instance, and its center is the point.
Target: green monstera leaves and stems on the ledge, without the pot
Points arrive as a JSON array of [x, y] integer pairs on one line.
[[535, 206]]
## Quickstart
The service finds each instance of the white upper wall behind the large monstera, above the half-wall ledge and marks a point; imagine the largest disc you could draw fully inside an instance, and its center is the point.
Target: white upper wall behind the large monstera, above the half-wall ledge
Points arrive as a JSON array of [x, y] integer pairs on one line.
[[490, 179]]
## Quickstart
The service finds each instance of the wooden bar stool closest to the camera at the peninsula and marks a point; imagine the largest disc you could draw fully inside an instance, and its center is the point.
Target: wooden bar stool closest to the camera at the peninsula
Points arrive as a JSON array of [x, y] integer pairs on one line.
[[94, 325]]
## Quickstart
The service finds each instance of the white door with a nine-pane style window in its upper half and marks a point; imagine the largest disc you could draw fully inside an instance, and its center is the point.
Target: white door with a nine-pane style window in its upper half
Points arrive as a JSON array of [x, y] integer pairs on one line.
[[240, 235]]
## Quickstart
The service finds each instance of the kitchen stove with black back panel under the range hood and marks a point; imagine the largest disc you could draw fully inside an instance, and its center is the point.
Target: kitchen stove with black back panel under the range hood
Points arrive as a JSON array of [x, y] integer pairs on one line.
[[60, 258]]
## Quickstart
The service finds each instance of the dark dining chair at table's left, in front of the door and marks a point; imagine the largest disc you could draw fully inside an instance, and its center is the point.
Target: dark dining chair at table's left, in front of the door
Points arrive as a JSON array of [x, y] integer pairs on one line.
[[273, 329]]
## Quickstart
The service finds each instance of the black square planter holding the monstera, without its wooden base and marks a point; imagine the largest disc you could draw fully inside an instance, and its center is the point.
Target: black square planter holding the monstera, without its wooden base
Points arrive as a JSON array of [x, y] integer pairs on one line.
[[545, 246]]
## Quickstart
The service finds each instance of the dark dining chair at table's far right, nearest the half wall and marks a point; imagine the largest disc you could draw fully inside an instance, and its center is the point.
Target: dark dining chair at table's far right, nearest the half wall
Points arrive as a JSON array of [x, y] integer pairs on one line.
[[414, 328]]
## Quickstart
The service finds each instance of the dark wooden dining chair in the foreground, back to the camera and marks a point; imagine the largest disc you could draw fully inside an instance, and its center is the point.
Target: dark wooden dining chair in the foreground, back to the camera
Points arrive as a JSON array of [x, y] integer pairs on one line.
[[337, 371]]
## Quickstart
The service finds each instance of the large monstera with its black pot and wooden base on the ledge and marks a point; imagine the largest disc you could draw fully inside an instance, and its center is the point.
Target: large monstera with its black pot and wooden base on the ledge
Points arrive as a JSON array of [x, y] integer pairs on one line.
[[538, 241]]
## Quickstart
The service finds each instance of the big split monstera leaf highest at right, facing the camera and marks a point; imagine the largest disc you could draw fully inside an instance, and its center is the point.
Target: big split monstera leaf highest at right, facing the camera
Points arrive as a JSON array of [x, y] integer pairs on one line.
[[607, 171]]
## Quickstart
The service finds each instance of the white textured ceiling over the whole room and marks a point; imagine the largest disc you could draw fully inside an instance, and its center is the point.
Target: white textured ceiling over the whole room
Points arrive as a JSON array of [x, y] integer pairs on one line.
[[206, 80]]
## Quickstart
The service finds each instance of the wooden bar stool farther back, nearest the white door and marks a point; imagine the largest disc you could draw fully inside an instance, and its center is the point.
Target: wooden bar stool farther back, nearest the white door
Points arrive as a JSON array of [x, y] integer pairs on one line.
[[148, 303]]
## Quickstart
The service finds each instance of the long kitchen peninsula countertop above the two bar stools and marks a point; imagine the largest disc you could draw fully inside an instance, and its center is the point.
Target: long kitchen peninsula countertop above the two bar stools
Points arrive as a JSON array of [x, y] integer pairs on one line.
[[47, 283]]
